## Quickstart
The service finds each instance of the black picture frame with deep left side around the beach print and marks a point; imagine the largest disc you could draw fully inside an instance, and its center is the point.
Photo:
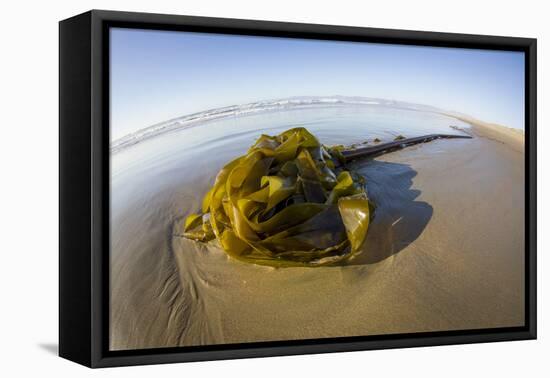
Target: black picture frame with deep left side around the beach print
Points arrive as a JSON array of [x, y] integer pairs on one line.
[[84, 188]]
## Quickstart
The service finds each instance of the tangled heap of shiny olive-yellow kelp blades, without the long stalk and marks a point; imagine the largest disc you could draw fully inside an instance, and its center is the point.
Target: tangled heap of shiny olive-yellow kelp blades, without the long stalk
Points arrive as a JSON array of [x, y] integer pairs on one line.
[[288, 201]]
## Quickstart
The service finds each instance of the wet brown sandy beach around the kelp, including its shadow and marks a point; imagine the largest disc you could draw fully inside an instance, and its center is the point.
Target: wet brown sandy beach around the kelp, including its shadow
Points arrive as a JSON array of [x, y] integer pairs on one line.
[[445, 252]]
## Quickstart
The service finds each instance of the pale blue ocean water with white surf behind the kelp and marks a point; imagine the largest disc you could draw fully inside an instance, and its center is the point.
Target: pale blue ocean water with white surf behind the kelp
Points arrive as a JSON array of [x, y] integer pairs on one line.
[[209, 141]]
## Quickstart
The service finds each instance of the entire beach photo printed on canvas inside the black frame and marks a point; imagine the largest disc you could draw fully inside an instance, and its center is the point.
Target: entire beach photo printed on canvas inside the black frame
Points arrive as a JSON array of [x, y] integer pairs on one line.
[[268, 189]]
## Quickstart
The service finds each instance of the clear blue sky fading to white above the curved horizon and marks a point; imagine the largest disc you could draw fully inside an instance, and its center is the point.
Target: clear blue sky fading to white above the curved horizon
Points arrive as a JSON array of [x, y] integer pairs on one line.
[[159, 75]]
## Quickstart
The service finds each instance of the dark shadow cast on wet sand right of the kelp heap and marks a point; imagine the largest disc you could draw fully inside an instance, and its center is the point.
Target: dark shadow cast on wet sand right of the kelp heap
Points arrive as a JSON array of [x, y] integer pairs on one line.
[[399, 218]]
